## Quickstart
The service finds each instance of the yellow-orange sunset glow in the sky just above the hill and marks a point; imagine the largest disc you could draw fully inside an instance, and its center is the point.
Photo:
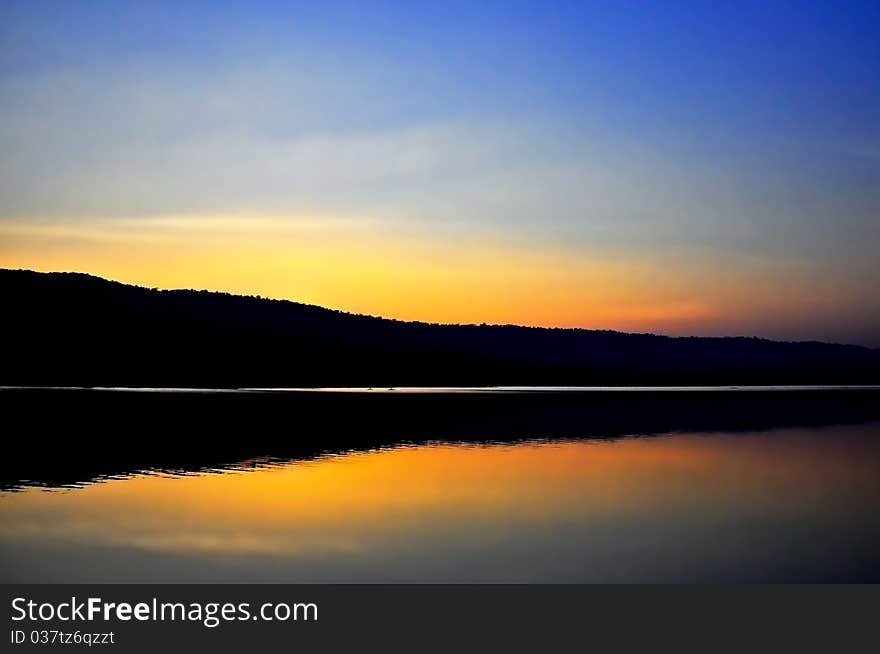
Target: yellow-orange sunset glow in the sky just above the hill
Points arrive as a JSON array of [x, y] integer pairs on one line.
[[468, 277]]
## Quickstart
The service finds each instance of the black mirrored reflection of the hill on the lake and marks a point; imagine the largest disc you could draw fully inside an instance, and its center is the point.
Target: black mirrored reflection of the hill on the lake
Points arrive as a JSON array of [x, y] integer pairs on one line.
[[69, 437]]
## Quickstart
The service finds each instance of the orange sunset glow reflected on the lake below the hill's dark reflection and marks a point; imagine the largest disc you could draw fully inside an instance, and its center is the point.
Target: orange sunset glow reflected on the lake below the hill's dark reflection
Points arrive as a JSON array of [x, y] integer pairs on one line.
[[465, 495]]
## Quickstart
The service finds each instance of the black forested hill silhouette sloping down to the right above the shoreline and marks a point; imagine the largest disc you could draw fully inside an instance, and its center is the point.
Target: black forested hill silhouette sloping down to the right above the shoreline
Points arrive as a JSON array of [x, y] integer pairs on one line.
[[82, 330]]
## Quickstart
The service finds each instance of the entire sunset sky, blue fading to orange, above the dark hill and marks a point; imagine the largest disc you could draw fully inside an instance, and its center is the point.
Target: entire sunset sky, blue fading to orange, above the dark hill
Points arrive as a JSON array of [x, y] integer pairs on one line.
[[681, 167]]
